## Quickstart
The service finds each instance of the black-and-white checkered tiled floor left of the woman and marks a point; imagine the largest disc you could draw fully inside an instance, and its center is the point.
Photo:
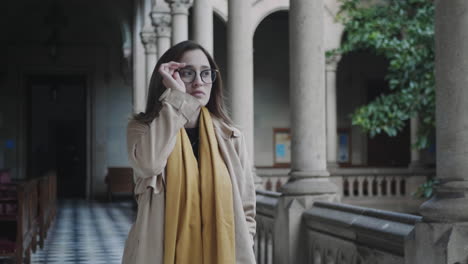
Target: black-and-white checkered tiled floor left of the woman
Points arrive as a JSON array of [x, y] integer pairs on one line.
[[87, 232]]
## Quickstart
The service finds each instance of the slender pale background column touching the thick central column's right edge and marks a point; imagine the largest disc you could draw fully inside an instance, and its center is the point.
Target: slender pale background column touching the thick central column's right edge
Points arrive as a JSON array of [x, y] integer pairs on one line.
[[332, 135]]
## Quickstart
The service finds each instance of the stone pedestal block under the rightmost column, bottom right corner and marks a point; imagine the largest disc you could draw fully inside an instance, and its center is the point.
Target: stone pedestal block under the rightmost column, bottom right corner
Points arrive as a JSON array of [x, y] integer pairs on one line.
[[437, 243]]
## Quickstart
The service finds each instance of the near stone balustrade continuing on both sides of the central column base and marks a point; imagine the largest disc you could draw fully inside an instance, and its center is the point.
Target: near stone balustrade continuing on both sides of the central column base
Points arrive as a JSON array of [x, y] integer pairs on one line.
[[334, 233]]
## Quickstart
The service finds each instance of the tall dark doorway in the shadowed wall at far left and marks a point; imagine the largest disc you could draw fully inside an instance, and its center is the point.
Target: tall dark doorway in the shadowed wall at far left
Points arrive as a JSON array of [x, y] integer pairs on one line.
[[57, 131]]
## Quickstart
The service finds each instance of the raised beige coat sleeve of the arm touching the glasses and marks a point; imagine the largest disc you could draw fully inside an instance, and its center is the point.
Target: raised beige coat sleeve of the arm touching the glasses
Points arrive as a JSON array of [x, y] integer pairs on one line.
[[149, 146]]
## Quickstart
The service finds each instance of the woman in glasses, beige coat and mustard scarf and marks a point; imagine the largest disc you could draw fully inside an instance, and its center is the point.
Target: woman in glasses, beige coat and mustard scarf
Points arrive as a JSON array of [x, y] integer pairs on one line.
[[194, 187]]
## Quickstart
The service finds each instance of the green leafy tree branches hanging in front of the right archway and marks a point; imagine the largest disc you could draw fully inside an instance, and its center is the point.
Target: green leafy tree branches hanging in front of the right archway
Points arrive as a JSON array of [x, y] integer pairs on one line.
[[403, 32]]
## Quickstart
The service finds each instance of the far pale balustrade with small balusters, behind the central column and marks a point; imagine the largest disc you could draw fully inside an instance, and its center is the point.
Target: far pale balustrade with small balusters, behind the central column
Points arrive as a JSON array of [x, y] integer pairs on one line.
[[381, 188]]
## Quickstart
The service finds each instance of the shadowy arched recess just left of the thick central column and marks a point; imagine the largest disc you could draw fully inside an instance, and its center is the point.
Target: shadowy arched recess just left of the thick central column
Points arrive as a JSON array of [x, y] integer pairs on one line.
[[271, 84]]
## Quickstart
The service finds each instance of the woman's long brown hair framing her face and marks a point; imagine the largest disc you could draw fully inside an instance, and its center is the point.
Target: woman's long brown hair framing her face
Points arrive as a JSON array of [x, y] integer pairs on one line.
[[156, 87]]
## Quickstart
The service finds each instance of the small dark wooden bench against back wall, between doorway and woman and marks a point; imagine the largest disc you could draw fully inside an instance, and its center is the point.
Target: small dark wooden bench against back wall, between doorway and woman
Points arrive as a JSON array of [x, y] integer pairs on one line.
[[119, 180]]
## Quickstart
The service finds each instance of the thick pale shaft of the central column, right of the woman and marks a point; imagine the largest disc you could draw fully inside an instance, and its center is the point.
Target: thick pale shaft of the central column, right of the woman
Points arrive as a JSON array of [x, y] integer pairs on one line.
[[307, 89]]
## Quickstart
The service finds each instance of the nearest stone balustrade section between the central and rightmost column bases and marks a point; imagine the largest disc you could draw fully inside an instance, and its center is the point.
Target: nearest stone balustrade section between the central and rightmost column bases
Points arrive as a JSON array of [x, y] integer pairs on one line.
[[341, 233]]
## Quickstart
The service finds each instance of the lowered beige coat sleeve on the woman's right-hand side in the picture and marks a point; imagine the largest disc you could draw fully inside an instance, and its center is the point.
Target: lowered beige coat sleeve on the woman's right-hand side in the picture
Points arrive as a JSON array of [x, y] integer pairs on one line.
[[248, 188]]
